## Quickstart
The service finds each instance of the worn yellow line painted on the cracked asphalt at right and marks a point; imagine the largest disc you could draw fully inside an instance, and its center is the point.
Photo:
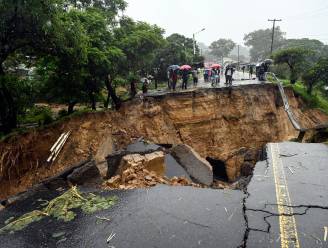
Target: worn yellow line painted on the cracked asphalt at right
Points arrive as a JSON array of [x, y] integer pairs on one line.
[[287, 224]]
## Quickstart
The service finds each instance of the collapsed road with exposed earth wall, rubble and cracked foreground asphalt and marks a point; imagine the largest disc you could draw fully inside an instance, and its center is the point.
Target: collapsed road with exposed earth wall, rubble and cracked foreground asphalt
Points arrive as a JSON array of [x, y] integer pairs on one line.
[[279, 202]]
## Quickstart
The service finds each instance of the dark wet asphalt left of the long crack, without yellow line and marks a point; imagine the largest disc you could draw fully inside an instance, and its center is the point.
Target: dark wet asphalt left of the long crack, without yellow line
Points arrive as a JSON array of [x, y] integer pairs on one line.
[[159, 217]]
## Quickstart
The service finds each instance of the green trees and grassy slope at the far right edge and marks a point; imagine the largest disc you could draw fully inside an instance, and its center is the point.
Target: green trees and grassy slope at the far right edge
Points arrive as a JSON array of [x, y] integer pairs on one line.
[[306, 62]]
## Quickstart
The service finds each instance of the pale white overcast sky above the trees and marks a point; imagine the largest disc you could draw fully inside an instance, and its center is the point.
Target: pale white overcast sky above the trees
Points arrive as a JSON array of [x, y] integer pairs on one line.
[[232, 19]]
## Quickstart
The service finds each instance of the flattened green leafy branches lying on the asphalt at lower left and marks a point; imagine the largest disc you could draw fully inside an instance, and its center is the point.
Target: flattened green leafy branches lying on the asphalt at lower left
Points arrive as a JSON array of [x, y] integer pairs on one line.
[[61, 208]]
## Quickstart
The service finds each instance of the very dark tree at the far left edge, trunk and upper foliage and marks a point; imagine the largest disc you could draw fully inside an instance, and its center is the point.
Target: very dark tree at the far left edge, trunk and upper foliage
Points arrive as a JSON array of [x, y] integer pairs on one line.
[[23, 24]]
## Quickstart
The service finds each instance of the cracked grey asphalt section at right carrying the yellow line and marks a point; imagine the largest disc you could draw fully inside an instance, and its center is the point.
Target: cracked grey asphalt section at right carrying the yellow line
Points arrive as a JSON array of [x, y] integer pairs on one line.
[[295, 176]]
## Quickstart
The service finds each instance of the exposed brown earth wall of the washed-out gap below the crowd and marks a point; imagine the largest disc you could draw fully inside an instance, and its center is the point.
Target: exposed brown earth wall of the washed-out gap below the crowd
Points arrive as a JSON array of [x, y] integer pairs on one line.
[[215, 122]]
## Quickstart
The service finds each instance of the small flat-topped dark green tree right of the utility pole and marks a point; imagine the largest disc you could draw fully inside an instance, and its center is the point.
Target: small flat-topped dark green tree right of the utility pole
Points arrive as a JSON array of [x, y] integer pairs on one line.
[[295, 58]]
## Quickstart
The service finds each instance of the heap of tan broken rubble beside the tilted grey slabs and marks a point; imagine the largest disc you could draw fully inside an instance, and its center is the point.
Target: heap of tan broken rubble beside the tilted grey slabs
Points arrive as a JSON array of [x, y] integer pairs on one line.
[[143, 171]]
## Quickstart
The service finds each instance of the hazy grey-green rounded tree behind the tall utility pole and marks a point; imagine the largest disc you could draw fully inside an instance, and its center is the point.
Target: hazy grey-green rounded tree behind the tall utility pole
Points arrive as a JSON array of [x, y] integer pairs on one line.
[[260, 42]]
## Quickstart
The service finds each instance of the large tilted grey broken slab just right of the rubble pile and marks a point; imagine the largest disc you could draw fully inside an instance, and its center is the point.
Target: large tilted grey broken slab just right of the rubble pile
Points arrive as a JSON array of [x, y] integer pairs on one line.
[[197, 167]]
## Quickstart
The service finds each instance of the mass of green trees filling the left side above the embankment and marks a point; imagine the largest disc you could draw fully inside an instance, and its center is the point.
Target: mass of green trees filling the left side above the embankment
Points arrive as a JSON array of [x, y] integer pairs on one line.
[[70, 52]]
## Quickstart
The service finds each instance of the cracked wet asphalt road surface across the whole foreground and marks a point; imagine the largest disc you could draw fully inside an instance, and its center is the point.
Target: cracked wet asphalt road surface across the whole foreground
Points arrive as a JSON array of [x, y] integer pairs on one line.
[[166, 216]]
